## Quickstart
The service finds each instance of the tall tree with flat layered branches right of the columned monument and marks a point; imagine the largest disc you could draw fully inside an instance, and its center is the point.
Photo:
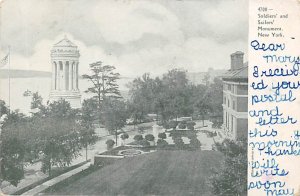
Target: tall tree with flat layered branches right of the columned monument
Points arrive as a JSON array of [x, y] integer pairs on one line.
[[104, 83]]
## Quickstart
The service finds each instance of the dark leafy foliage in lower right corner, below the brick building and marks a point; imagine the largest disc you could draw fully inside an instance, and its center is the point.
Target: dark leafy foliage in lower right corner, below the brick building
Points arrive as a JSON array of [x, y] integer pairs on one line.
[[232, 179]]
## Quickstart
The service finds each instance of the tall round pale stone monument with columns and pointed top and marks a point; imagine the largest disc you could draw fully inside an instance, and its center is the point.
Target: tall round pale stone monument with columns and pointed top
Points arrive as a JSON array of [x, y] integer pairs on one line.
[[65, 60]]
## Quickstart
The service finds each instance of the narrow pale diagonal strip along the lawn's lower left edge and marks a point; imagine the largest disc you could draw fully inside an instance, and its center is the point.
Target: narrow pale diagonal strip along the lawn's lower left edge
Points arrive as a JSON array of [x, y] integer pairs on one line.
[[40, 188]]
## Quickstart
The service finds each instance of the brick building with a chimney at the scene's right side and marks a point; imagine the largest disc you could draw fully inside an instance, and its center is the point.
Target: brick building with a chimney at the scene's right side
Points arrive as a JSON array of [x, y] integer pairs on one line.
[[235, 98]]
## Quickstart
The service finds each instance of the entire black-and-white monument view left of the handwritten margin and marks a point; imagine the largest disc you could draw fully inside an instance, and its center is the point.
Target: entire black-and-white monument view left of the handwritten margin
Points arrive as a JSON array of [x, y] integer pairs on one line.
[[123, 97]]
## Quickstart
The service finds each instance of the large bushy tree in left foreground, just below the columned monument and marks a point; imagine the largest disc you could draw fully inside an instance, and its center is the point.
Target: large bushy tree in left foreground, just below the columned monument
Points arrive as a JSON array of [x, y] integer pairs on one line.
[[53, 137]]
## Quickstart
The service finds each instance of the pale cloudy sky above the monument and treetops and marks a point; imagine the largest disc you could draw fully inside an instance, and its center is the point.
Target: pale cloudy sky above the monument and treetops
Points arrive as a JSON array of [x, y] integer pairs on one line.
[[135, 36]]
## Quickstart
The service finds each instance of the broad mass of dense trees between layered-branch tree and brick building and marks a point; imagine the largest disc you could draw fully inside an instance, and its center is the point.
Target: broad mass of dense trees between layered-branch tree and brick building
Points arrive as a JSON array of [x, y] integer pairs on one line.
[[173, 96]]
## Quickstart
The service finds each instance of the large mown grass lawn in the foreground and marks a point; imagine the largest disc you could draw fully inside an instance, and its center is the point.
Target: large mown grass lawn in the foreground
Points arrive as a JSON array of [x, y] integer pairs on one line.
[[159, 173]]
